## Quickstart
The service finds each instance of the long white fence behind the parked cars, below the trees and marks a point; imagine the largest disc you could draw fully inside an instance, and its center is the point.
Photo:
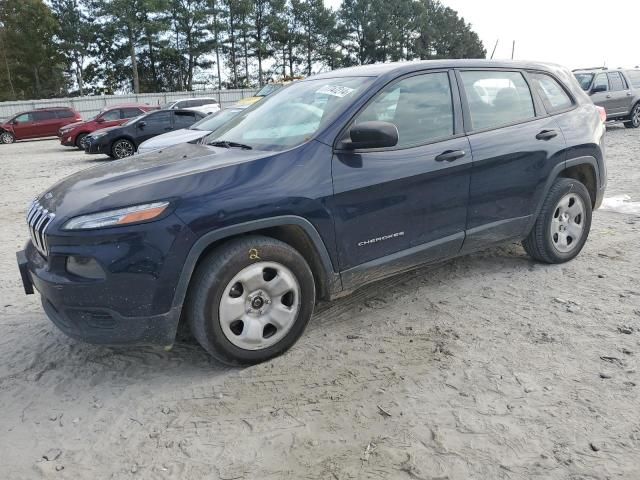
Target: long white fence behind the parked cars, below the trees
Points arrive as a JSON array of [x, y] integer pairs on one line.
[[91, 105]]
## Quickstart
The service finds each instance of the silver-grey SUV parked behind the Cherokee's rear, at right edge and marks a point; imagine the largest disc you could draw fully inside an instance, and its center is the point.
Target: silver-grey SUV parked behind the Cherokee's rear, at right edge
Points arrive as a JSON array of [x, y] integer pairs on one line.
[[617, 90]]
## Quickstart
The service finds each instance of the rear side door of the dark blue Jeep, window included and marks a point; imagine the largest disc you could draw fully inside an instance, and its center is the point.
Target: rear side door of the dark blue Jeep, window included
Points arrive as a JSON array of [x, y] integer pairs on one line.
[[515, 145]]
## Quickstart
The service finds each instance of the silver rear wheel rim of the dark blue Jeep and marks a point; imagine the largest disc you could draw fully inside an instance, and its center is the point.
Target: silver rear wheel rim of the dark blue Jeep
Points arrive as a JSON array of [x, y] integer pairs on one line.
[[567, 224]]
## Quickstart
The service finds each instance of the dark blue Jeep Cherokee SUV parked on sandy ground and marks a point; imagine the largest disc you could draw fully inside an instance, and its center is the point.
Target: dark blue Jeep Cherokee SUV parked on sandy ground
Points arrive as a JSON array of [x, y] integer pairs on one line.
[[328, 184]]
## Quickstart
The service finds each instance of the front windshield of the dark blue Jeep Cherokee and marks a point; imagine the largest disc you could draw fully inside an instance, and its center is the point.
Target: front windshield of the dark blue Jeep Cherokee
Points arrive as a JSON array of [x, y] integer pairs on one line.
[[292, 115]]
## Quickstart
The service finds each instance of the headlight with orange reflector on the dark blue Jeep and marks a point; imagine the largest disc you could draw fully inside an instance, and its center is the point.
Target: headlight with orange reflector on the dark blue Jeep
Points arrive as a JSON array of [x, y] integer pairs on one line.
[[121, 216]]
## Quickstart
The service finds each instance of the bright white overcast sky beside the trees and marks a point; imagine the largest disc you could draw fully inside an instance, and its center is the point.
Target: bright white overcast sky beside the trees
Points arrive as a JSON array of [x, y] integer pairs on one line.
[[573, 33]]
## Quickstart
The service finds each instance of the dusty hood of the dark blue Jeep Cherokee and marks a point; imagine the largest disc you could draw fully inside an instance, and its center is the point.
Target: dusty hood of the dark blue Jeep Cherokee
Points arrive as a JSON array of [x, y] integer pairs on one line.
[[158, 175]]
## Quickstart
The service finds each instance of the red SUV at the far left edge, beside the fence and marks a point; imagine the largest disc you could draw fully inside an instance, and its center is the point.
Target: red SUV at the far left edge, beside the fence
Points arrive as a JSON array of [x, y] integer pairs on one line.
[[39, 123]]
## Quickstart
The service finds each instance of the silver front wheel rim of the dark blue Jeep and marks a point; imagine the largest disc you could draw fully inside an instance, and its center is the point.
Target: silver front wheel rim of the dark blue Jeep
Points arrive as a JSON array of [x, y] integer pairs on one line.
[[259, 305]]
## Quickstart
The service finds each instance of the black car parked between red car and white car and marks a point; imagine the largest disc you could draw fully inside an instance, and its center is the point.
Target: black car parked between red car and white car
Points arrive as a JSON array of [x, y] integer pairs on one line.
[[123, 141]]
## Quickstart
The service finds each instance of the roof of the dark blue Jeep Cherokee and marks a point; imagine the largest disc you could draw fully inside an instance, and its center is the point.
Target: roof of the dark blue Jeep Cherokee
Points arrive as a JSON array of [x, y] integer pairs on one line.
[[380, 69]]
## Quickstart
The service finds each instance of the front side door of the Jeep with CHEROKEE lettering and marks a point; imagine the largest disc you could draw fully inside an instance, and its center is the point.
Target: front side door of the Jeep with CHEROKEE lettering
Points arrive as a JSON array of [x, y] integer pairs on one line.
[[406, 204]]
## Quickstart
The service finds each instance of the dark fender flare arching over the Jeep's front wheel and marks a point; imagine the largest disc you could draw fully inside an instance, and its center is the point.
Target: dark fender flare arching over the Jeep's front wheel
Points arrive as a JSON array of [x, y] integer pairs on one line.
[[331, 276]]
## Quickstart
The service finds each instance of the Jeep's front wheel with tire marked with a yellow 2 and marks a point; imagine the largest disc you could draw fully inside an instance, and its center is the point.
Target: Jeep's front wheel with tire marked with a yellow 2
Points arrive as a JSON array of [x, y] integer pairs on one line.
[[250, 300]]
